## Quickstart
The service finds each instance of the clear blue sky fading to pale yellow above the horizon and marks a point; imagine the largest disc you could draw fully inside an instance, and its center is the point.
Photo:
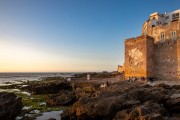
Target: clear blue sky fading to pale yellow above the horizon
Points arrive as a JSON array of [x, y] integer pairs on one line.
[[71, 35]]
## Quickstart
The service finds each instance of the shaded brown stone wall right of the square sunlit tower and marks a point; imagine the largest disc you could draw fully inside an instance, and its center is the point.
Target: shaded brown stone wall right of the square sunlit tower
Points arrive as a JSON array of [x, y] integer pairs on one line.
[[167, 59]]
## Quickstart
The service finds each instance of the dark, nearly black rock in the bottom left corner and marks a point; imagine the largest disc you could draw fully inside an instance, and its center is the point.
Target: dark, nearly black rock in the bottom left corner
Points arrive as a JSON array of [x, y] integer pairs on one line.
[[10, 106]]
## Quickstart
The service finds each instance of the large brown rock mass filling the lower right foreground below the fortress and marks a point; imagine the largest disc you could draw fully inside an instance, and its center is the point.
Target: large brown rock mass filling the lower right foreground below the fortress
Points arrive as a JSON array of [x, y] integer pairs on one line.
[[122, 101]]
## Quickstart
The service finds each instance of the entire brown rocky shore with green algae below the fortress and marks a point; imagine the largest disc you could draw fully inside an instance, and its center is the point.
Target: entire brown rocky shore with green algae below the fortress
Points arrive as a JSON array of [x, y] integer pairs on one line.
[[104, 97]]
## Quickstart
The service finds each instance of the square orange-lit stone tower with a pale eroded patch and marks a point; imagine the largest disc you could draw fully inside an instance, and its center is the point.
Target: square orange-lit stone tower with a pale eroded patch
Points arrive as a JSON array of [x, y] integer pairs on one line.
[[136, 50]]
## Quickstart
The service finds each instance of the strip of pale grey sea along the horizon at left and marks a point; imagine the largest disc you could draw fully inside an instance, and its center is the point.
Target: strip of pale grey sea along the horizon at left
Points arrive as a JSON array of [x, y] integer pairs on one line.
[[15, 77]]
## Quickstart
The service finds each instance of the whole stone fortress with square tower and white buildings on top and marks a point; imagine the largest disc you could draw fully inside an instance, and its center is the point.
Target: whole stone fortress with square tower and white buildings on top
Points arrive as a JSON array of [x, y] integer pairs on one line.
[[156, 53]]
